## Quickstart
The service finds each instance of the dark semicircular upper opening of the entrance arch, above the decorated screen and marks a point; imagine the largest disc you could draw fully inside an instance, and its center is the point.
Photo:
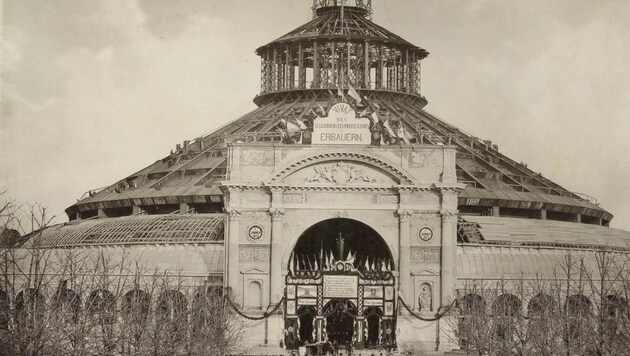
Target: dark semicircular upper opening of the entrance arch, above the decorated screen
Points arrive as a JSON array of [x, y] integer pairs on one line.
[[359, 243]]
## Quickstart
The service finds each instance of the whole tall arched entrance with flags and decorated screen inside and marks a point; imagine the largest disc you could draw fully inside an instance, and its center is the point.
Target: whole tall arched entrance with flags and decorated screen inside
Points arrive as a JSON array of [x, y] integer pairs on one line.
[[340, 279]]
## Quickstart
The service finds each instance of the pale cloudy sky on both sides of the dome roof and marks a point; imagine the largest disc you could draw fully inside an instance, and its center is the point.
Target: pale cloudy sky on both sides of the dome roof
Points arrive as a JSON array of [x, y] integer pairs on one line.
[[93, 91]]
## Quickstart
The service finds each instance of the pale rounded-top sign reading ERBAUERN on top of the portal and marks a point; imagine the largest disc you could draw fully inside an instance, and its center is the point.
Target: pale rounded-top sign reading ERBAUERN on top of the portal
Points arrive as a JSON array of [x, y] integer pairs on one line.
[[341, 127]]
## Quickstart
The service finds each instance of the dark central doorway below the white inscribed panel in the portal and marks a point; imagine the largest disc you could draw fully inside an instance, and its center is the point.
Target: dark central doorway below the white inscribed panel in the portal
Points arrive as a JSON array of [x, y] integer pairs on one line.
[[340, 315]]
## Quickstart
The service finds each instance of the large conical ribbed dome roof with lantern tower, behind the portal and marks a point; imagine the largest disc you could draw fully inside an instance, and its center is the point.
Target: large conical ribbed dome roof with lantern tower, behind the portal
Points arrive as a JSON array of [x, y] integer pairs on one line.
[[339, 55]]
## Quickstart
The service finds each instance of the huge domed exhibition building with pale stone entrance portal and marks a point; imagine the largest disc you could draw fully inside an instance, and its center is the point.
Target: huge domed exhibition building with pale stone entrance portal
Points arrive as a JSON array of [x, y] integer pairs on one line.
[[342, 199]]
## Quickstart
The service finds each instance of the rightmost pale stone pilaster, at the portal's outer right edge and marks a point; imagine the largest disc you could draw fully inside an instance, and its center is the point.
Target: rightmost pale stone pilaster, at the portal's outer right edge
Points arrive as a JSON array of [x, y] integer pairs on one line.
[[448, 270]]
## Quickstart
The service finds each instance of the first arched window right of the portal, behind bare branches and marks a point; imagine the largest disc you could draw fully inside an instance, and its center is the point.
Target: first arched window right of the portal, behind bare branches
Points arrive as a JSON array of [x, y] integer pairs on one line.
[[472, 321]]
